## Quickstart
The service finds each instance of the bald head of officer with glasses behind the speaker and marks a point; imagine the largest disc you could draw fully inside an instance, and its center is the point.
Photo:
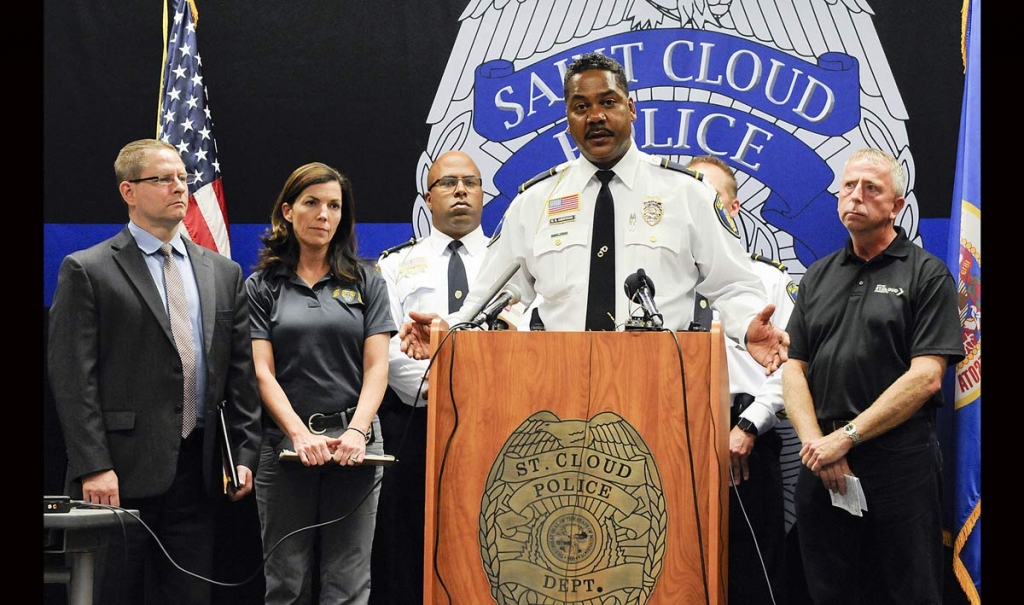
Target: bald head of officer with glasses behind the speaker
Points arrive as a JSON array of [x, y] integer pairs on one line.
[[455, 209]]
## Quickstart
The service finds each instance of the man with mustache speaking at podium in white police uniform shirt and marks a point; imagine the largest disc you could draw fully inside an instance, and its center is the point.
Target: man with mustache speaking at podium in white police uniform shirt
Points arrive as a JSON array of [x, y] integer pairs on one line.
[[666, 222]]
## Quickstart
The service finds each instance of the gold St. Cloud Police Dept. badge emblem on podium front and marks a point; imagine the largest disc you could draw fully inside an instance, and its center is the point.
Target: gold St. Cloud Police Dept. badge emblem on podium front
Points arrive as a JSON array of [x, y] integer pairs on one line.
[[574, 512]]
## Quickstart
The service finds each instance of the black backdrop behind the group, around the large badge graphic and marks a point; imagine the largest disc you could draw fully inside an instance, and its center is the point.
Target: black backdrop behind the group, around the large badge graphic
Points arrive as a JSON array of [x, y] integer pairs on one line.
[[350, 84]]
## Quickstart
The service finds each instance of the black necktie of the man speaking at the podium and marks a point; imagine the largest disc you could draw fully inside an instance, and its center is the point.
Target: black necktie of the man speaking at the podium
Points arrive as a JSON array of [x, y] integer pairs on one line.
[[602, 295]]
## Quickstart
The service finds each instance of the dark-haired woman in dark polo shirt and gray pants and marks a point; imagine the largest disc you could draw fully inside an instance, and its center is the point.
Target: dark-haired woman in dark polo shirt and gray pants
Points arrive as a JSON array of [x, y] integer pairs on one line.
[[321, 326]]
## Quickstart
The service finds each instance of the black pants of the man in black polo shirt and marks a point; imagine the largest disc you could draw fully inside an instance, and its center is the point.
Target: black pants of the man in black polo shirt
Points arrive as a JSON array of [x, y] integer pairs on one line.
[[893, 554]]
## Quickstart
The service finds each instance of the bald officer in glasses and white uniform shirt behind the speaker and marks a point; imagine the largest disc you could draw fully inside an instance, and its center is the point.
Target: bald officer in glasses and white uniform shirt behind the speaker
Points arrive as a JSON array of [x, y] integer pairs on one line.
[[417, 278]]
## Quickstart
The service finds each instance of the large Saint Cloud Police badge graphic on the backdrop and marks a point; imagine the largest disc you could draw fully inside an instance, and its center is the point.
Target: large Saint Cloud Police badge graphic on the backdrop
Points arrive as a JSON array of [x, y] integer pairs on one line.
[[783, 92]]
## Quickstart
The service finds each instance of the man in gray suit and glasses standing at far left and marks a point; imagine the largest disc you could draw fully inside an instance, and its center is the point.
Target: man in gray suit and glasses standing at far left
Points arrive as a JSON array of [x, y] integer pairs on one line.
[[140, 418]]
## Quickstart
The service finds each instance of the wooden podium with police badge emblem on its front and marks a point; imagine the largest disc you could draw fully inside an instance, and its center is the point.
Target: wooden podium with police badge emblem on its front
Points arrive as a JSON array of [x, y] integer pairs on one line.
[[572, 468]]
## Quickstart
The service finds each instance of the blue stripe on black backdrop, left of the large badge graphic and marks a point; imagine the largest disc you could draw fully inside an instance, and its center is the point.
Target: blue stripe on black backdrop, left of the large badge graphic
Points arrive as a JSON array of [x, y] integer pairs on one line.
[[60, 240]]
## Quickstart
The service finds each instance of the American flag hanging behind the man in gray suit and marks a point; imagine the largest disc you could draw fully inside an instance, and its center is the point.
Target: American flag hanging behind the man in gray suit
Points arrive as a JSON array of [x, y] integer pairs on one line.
[[186, 123]]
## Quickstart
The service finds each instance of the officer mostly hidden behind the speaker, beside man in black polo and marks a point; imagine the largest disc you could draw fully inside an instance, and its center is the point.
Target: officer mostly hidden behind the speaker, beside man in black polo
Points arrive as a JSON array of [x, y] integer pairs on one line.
[[757, 518]]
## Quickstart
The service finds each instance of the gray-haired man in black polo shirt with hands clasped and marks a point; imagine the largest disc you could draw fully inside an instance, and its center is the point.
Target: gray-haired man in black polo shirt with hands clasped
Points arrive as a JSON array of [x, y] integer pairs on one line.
[[874, 330]]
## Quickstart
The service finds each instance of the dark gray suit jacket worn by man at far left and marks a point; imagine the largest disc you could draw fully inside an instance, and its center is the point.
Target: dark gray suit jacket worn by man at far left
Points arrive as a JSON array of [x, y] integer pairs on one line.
[[117, 377]]
